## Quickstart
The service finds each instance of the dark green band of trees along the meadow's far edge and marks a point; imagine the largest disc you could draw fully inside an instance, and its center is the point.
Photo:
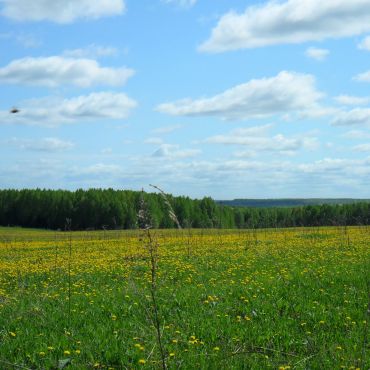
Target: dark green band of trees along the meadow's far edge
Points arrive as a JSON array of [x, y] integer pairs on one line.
[[118, 209]]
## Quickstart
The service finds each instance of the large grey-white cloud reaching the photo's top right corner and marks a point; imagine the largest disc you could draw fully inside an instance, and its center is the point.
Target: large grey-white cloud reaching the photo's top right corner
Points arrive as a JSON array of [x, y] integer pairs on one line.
[[292, 21]]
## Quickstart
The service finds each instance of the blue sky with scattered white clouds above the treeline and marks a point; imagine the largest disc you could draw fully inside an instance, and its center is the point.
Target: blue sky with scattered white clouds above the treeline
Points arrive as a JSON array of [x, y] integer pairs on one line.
[[221, 98]]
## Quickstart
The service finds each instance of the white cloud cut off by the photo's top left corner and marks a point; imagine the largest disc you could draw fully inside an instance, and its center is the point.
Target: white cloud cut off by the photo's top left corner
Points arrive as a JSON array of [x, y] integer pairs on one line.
[[60, 11]]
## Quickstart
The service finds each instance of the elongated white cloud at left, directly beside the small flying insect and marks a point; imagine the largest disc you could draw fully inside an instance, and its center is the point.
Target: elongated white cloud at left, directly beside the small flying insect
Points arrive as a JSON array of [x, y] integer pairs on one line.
[[51, 112]]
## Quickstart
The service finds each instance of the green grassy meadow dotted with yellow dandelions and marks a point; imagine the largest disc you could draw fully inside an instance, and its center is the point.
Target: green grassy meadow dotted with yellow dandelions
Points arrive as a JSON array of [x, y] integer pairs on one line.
[[185, 299]]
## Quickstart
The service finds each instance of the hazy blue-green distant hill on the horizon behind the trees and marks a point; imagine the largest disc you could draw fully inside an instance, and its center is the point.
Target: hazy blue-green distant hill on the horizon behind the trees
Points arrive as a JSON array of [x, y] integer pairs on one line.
[[289, 202]]
